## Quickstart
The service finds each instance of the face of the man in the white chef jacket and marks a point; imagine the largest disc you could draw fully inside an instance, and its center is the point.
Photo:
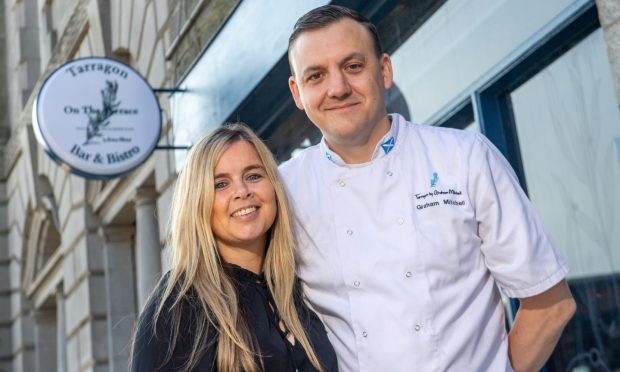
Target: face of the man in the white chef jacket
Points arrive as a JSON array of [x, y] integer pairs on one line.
[[339, 81]]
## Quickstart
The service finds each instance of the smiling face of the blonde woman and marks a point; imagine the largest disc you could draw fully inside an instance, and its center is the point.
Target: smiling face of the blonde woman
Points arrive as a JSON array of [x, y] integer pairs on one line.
[[244, 205]]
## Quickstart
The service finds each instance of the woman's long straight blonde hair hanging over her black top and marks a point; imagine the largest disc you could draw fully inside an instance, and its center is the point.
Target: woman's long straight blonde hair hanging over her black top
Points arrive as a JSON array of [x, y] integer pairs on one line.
[[197, 265]]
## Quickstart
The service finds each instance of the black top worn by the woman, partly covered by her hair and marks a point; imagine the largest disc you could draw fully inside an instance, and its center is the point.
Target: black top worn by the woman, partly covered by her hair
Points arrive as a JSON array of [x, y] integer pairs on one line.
[[257, 306]]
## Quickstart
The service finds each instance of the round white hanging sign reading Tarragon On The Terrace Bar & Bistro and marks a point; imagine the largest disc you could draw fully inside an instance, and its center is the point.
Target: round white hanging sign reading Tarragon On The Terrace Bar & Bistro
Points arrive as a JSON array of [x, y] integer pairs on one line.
[[98, 116]]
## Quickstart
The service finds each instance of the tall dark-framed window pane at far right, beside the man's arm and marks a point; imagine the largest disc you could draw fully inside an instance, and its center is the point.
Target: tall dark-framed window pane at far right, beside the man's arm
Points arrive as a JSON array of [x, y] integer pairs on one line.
[[568, 127]]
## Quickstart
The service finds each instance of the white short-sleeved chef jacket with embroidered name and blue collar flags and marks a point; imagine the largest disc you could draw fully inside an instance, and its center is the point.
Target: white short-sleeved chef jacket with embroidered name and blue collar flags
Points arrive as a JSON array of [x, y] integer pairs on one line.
[[402, 255]]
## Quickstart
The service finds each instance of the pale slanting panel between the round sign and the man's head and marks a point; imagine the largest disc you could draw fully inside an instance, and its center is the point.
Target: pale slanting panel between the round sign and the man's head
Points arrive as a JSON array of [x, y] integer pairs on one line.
[[222, 78]]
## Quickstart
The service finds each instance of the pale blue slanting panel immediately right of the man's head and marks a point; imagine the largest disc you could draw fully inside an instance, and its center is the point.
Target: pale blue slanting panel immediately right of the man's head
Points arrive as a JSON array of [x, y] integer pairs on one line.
[[461, 42]]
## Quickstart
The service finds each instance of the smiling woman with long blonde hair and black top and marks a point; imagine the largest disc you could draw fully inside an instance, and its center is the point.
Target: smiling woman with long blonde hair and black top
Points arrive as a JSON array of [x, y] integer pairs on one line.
[[231, 301]]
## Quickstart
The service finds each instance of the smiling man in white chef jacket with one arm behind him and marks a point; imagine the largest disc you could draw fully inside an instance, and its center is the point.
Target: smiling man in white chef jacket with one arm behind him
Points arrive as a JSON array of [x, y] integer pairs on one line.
[[405, 231]]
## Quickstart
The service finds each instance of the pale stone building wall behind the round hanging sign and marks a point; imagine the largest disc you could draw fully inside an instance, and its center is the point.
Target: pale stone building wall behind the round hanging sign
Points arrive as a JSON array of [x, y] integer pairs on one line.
[[79, 257]]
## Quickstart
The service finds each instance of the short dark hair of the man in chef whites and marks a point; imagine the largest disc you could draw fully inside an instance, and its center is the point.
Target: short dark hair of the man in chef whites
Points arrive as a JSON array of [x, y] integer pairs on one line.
[[324, 16]]
